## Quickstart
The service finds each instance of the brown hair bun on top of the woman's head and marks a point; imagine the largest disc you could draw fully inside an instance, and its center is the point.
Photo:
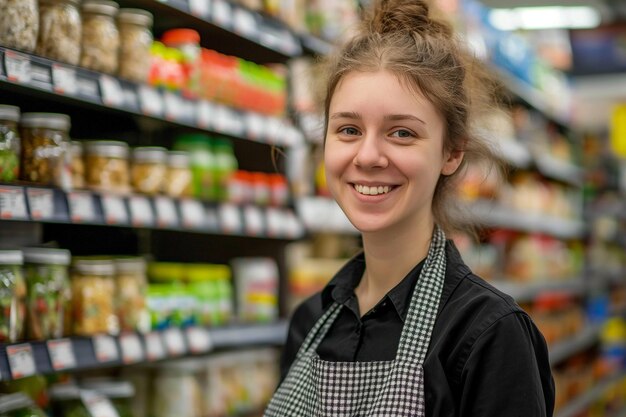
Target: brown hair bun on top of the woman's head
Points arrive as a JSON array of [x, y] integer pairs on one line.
[[405, 16]]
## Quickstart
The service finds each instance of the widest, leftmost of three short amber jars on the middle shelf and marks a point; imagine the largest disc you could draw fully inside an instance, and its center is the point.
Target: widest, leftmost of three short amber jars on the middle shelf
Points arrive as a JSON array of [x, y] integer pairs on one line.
[[106, 163]]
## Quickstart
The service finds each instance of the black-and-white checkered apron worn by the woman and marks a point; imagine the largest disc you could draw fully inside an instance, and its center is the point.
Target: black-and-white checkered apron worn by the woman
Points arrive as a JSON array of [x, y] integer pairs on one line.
[[314, 387]]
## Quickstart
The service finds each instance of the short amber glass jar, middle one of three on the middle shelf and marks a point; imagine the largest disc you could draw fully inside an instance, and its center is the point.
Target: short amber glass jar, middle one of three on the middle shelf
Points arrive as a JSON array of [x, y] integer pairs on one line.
[[148, 170]]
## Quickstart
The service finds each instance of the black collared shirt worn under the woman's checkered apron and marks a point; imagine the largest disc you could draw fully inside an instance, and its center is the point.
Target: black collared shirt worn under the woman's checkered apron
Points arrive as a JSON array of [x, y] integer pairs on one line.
[[486, 357]]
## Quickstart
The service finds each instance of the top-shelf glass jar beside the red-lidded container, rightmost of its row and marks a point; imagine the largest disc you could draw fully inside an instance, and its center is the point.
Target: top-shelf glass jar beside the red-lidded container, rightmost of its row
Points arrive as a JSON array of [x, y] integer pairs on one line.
[[135, 42]]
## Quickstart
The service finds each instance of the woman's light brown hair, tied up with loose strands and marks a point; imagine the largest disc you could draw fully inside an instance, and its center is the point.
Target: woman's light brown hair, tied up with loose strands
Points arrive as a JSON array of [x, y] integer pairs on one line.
[[403, 37]]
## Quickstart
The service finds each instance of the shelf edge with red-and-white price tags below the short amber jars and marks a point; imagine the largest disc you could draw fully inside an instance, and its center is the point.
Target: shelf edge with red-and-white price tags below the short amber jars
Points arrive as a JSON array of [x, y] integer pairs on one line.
[[51, 205]]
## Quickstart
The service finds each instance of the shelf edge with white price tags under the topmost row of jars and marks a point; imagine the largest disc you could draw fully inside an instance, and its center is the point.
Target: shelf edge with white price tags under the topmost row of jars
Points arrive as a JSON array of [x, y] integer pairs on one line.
[[39, 75]]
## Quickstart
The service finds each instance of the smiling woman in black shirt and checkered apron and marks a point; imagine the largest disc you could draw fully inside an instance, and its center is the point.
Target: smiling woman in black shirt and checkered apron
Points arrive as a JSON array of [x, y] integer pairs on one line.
[[405, 328]]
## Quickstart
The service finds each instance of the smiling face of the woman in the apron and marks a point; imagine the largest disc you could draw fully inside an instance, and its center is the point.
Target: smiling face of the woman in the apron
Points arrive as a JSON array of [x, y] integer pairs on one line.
[[384, 152]]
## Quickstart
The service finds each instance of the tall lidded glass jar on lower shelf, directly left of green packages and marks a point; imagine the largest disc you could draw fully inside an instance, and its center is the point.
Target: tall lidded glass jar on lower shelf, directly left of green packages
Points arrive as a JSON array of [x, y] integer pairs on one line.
[[131, 287]]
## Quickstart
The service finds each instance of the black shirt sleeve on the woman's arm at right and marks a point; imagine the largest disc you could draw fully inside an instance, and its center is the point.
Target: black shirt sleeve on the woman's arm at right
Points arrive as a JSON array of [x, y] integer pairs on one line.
[[507, 373]]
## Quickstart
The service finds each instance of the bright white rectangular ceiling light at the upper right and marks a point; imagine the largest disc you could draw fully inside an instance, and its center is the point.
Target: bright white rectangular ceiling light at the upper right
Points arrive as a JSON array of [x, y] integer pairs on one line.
[[547, 17]]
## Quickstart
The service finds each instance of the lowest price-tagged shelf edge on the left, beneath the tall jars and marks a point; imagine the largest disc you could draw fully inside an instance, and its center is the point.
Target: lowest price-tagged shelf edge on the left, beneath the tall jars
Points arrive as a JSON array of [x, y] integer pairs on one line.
[[82, 353]]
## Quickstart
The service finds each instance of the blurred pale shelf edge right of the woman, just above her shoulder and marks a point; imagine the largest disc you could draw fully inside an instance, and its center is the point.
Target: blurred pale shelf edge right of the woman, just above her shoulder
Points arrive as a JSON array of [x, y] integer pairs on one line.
[[490, 214]]
